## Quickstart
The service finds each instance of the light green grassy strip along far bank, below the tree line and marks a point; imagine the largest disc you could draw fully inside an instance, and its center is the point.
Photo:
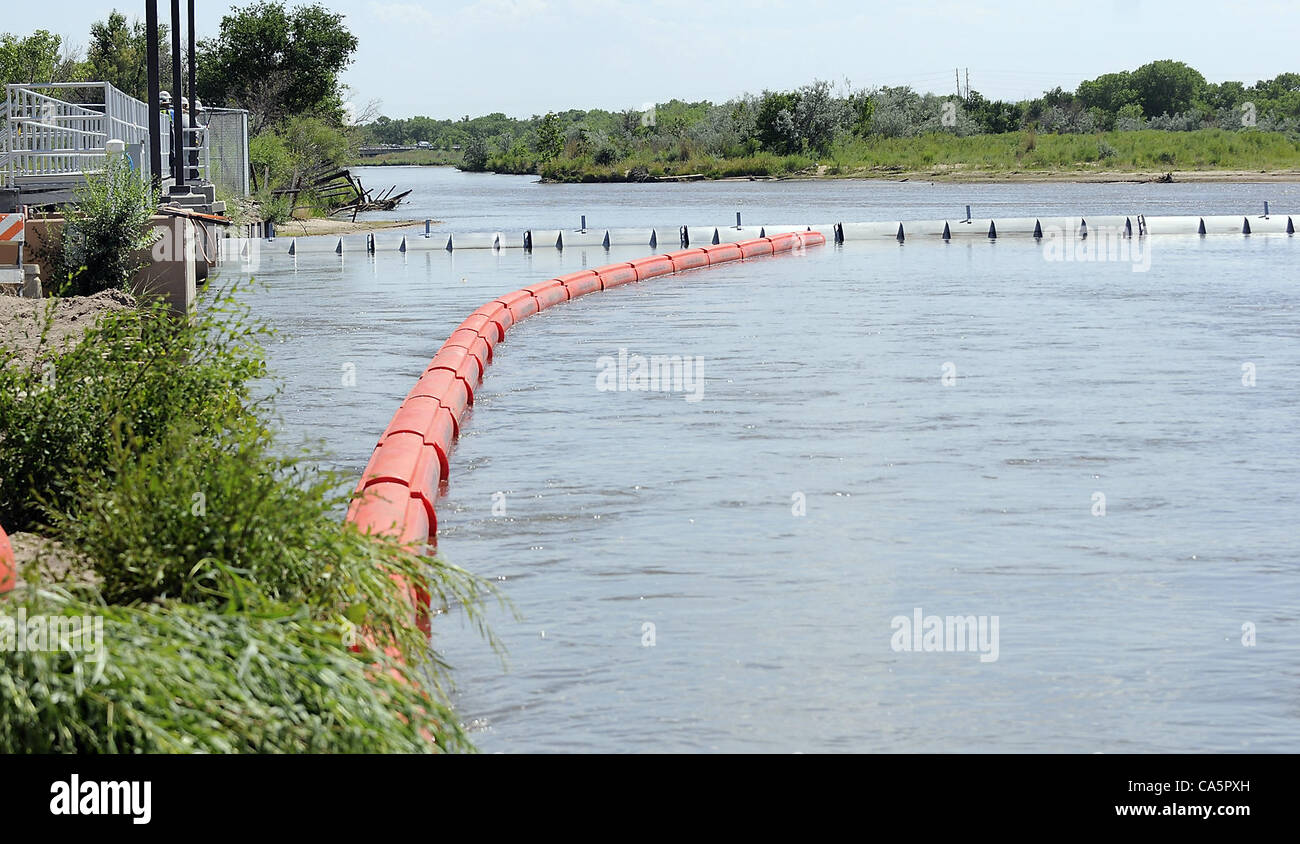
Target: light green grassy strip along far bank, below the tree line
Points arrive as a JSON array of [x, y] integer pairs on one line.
[[943, 157]]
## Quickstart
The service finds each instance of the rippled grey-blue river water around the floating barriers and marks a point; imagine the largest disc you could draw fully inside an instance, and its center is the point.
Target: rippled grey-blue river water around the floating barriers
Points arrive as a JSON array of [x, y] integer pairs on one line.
[[1100, 462]]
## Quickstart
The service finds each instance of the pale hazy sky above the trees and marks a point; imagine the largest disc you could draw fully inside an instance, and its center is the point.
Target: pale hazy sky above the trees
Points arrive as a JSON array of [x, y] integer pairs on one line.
[[454, 58]]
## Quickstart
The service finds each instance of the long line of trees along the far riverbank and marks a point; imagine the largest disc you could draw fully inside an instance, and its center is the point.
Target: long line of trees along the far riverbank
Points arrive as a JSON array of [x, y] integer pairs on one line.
[[813, 119]]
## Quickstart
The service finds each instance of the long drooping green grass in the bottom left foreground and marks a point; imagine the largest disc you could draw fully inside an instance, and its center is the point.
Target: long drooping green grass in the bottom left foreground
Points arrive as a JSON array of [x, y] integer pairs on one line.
[[176, 678]]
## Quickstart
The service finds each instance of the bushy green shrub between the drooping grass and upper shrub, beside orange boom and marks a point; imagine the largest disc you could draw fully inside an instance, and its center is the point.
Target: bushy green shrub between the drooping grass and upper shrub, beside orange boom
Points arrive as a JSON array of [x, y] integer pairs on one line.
[[203, 517]]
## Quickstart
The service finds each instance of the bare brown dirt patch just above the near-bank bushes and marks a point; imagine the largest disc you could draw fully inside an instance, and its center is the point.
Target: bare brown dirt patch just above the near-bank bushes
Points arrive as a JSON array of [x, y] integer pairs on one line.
[[29, 326]]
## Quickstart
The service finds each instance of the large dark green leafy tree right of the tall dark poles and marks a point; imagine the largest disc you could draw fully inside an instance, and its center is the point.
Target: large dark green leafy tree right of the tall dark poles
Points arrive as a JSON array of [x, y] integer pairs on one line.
[[278, 63]]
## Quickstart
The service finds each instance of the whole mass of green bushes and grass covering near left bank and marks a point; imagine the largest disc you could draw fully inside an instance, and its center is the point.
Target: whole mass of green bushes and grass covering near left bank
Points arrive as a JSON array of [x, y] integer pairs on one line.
[[229, 587]]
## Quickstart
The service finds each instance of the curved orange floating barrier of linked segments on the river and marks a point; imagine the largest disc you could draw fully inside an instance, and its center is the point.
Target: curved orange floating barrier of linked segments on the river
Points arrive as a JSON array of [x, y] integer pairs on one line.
[[410, 466]]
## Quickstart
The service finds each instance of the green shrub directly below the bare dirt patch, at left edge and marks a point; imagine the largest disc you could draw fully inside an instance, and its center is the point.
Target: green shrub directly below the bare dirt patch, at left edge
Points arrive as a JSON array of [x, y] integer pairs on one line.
[[138, 373]]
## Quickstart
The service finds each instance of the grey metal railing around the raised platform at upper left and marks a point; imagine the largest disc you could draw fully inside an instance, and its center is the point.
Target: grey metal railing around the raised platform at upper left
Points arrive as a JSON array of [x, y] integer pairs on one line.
[[51, 141]]
